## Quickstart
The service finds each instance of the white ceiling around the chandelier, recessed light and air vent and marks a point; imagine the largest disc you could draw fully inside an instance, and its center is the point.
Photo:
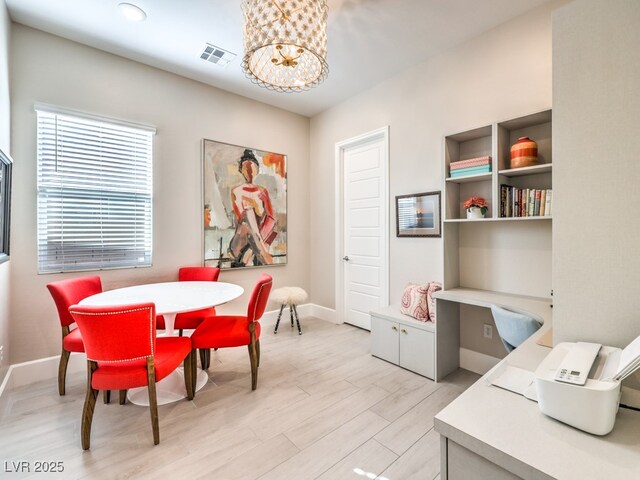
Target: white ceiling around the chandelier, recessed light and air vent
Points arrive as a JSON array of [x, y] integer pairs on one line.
[[369, 40]]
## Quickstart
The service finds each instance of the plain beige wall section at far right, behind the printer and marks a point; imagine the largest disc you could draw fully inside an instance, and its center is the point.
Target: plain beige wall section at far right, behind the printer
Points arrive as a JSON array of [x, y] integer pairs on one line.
[[596, 96]]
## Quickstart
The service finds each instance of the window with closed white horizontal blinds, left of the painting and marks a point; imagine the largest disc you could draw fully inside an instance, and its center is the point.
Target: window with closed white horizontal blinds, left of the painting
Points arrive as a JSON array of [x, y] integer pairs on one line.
[[94, 192]]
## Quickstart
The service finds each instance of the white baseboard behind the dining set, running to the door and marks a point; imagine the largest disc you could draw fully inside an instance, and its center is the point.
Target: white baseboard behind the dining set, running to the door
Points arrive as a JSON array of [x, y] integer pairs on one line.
[[25, 373]]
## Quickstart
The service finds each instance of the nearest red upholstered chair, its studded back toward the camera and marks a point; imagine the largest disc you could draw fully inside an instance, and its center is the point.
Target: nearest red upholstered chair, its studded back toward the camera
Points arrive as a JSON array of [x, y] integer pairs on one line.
[[123, 353]]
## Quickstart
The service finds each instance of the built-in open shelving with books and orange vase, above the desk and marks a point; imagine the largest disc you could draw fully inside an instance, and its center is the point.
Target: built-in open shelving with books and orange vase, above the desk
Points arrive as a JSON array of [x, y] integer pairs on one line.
[[475, 256]]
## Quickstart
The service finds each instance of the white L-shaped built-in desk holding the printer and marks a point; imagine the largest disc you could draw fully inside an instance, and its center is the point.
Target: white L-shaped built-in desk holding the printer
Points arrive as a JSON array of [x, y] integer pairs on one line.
[[490, 433]]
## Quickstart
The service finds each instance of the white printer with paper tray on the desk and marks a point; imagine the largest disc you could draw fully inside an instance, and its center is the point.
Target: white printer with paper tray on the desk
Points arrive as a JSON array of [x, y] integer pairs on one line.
[[579, 383]]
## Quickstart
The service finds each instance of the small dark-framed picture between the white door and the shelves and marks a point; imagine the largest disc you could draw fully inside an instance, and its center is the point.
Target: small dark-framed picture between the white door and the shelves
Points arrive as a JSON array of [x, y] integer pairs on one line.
[[418, 215]]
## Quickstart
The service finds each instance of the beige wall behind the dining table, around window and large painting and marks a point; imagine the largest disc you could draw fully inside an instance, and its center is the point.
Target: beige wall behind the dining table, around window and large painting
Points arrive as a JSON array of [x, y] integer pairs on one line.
[[52, 70]]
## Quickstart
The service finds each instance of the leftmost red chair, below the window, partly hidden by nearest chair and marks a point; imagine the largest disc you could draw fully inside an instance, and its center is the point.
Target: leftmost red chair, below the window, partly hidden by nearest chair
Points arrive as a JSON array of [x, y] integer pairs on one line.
[[66, 293]]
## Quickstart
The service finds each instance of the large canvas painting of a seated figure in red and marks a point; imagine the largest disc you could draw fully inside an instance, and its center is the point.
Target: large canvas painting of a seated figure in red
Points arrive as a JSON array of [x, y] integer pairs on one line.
[[245, 206]]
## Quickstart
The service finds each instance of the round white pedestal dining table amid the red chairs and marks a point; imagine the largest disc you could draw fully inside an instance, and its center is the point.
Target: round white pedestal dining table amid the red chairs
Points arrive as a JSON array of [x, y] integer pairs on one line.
[[170, 298]]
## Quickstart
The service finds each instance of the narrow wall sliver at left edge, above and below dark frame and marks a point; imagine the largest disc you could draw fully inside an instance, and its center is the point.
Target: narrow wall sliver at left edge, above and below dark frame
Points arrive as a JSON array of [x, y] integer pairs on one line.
[[5, 32]]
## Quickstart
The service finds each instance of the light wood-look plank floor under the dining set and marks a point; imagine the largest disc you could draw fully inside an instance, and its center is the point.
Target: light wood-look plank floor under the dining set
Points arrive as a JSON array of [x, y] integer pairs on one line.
[[324, 409]]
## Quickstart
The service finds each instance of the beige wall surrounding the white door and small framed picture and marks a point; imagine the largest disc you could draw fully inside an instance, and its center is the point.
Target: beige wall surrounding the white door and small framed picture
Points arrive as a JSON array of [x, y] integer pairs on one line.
[[502, 74]]
